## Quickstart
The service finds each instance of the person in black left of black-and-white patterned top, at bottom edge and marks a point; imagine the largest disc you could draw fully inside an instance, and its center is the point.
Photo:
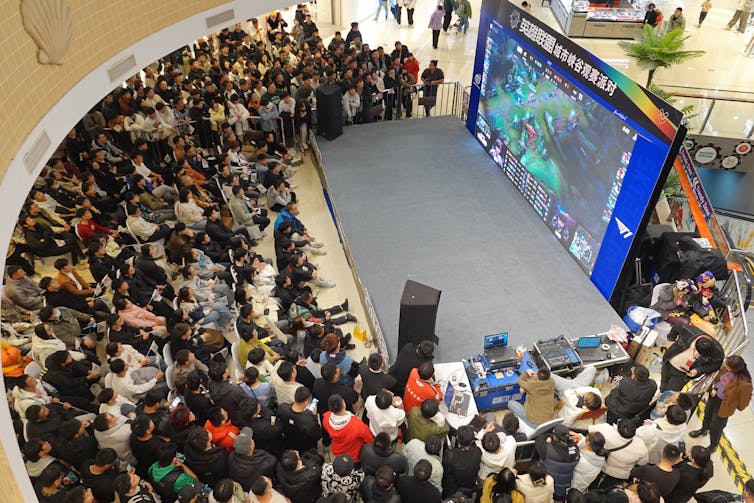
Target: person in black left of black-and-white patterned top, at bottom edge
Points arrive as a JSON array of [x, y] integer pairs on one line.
[[299, 478]]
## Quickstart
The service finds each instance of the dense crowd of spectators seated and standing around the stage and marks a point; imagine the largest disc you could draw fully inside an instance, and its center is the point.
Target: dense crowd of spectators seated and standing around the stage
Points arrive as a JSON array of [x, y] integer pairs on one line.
[[124, 387]]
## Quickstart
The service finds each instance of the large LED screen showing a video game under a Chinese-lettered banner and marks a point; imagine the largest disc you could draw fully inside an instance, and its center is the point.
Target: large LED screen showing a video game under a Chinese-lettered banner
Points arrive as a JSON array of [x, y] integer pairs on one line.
[[583, 144]]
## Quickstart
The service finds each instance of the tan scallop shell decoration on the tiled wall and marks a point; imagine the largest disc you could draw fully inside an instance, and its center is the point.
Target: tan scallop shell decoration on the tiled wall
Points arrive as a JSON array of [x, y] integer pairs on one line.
[[50, 25]]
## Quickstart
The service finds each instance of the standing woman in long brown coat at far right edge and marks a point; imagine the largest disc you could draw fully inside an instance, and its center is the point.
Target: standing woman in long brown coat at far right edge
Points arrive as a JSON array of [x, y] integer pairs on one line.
[[731, 392]]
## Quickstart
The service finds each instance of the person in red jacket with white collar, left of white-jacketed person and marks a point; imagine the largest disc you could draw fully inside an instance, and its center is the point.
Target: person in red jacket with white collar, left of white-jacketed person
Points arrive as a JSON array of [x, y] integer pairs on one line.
[[348, 432]]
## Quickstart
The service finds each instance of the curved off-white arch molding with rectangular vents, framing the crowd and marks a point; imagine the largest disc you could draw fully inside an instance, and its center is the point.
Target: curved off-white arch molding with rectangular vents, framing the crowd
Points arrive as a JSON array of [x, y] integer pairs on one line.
[[42, 141]]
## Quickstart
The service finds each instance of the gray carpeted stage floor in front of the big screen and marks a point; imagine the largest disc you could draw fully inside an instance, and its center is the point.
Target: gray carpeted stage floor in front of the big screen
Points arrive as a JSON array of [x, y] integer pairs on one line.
[[420, 199]]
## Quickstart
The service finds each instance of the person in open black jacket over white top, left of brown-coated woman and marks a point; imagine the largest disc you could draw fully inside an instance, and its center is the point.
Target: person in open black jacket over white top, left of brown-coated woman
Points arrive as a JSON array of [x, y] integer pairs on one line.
[[691, 354]]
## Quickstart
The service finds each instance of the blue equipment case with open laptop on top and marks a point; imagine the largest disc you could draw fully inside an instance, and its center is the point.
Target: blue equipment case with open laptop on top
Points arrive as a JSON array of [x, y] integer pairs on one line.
[[492, 389]]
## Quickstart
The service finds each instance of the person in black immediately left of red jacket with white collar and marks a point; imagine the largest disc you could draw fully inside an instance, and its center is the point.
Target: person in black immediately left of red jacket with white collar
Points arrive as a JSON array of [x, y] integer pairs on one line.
[[301, 430]]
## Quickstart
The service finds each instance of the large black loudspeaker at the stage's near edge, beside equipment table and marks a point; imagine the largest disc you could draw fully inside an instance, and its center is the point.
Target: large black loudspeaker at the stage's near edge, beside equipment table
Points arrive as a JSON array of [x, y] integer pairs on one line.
[[418, 314]]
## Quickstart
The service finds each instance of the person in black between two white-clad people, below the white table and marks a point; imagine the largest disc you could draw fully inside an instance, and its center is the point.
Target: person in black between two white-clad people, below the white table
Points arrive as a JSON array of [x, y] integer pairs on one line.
[[461, 464]]
